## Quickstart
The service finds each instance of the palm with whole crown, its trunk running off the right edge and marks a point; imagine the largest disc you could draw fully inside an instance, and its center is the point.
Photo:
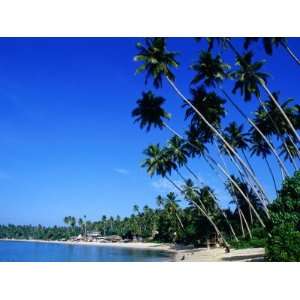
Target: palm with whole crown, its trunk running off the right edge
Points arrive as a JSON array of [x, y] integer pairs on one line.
[[248, 80]]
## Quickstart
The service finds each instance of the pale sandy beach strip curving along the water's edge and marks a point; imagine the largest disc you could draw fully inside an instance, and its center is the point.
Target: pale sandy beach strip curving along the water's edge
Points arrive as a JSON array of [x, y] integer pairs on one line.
[[178, 254]]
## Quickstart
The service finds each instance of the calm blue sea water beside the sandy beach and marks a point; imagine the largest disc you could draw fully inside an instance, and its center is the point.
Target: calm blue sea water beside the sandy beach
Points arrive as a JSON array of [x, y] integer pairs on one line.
[[18, 251]]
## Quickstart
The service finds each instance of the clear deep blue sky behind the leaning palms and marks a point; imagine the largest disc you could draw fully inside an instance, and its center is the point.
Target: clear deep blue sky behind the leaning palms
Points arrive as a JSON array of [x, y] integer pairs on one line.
[[68, 144]]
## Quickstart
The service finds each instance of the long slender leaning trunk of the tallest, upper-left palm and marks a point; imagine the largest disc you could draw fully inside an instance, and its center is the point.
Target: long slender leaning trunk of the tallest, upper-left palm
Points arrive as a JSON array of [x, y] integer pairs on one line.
[[213, 129]]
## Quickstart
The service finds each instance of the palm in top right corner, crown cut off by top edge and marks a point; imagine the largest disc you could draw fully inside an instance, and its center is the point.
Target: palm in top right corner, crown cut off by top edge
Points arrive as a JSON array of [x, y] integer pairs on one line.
[[269, 43]]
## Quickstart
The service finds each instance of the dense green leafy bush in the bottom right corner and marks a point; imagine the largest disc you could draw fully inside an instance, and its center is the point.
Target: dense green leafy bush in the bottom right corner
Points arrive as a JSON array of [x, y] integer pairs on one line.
[[284, 242]]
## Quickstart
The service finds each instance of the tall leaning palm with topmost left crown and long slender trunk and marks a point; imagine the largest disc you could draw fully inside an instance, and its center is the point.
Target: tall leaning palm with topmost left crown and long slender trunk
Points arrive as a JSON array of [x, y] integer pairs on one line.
[[157, 61]]
